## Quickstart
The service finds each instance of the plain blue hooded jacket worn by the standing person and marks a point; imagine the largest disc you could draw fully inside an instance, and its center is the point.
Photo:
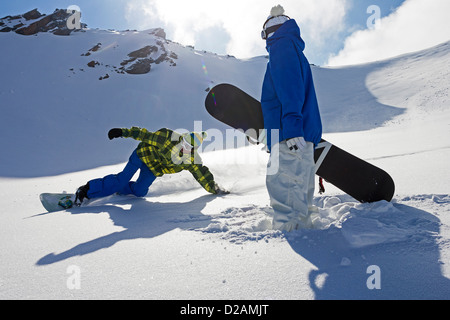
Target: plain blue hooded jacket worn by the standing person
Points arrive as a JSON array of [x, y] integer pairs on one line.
[[288, 100]]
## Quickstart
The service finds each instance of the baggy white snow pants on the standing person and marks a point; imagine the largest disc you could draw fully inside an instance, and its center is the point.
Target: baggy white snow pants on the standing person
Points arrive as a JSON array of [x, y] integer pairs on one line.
[[291, 187]]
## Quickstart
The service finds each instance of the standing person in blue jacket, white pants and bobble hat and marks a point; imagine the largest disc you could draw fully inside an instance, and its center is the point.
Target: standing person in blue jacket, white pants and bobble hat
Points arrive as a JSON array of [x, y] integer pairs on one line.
[[290, 109]]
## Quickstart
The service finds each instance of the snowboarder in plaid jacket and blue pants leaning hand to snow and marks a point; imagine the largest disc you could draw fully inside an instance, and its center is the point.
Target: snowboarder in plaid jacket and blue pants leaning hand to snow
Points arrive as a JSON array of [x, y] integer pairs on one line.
[[161, 152]]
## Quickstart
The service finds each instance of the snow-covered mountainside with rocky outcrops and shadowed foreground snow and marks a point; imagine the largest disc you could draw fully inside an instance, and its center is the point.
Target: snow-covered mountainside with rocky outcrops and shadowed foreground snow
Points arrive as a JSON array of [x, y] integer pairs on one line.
[[59, 96]]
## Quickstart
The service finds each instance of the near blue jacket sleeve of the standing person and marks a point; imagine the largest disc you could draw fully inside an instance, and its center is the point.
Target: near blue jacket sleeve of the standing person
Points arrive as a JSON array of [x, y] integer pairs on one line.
[[289, 85]]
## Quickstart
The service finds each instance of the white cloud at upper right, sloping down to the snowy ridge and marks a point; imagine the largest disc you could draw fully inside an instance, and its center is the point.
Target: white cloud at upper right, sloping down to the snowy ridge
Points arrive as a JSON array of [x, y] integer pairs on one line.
[[416, 25]]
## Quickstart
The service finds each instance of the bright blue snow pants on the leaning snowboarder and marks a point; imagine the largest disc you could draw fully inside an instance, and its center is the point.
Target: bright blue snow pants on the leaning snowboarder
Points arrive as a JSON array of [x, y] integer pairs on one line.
[[121, 183]]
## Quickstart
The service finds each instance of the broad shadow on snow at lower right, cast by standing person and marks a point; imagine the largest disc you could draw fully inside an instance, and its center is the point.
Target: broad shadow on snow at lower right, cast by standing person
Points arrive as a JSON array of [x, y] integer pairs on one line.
[[410, 268]]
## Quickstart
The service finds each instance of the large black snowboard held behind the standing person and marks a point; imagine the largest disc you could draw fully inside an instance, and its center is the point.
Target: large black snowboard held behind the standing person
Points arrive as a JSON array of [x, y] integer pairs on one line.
[[356, 177]]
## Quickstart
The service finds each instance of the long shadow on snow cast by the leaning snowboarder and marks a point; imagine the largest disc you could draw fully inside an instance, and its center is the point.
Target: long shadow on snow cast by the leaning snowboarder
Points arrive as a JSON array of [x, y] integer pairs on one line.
[[144, 219]]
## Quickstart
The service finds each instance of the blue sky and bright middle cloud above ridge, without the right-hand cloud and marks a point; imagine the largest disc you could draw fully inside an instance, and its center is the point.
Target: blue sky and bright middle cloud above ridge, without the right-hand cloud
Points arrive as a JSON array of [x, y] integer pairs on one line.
[[228, 27]]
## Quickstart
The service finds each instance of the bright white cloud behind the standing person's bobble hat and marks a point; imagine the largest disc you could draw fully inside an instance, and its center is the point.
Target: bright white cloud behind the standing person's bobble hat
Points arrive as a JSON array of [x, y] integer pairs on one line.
[[240, 20]]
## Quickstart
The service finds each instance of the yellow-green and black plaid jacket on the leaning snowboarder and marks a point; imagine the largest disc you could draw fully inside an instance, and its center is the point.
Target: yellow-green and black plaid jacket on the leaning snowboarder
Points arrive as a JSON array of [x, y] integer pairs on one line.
[[161, 151]]
